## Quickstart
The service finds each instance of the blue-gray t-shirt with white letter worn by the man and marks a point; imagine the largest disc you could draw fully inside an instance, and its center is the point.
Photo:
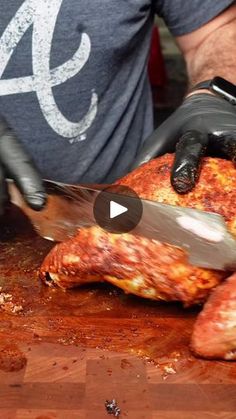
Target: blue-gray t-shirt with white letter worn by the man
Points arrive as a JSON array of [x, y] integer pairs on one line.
[[73, 78]]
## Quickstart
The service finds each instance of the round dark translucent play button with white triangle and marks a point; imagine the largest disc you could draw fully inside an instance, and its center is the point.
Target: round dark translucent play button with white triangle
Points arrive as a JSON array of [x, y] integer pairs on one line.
[[118, 209]]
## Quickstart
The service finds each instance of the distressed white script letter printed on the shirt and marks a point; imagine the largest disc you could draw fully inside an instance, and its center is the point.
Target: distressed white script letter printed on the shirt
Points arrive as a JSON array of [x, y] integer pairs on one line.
[[42, 15]]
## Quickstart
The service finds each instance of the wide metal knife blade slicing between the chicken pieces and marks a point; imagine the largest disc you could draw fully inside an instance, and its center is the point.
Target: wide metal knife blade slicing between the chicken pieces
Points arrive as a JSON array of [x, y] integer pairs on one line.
[[203, 235]]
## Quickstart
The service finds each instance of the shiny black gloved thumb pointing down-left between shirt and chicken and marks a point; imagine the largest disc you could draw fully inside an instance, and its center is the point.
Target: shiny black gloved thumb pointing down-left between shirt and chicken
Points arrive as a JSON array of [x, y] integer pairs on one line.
[[161, 141]]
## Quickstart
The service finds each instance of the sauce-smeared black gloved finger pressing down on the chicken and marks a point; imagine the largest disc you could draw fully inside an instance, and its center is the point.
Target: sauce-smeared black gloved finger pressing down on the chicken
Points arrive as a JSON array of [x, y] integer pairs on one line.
[[189, 150]]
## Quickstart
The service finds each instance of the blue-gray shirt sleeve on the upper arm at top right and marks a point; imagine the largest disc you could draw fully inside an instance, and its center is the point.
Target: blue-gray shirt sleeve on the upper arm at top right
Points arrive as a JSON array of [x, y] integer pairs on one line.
[[184, 16]]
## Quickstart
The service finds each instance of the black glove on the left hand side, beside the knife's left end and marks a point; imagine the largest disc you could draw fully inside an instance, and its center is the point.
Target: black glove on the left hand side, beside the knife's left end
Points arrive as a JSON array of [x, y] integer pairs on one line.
[[17, 165]]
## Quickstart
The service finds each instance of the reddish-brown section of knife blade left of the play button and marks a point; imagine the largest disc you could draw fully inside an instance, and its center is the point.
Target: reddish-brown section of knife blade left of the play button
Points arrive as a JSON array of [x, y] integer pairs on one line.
[[68, 208]]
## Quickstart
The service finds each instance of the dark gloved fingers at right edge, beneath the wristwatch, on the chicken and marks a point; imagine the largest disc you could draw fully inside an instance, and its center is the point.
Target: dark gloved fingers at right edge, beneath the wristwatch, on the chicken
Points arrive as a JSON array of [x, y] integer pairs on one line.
[[223, 145]]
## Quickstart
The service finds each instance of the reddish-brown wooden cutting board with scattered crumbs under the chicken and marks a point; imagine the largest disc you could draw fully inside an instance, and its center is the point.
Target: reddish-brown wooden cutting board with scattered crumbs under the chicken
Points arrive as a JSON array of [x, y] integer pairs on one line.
[[63, 354]]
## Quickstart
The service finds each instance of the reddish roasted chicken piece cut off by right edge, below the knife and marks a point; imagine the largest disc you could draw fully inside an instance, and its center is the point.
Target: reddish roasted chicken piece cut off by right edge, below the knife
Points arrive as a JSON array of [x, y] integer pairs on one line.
[[214, 334]]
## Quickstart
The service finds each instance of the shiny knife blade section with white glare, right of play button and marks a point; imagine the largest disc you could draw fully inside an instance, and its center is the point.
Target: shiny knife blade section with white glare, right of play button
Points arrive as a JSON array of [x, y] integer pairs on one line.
[[203, 235]]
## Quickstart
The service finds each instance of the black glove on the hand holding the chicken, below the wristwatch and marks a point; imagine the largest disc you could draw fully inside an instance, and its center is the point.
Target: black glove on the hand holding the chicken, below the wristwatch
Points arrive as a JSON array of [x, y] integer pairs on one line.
[[203, 124]]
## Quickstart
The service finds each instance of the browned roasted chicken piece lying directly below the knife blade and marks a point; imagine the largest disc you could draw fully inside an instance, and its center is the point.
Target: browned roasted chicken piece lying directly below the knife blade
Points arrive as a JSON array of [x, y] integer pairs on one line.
[[139, 266]]
